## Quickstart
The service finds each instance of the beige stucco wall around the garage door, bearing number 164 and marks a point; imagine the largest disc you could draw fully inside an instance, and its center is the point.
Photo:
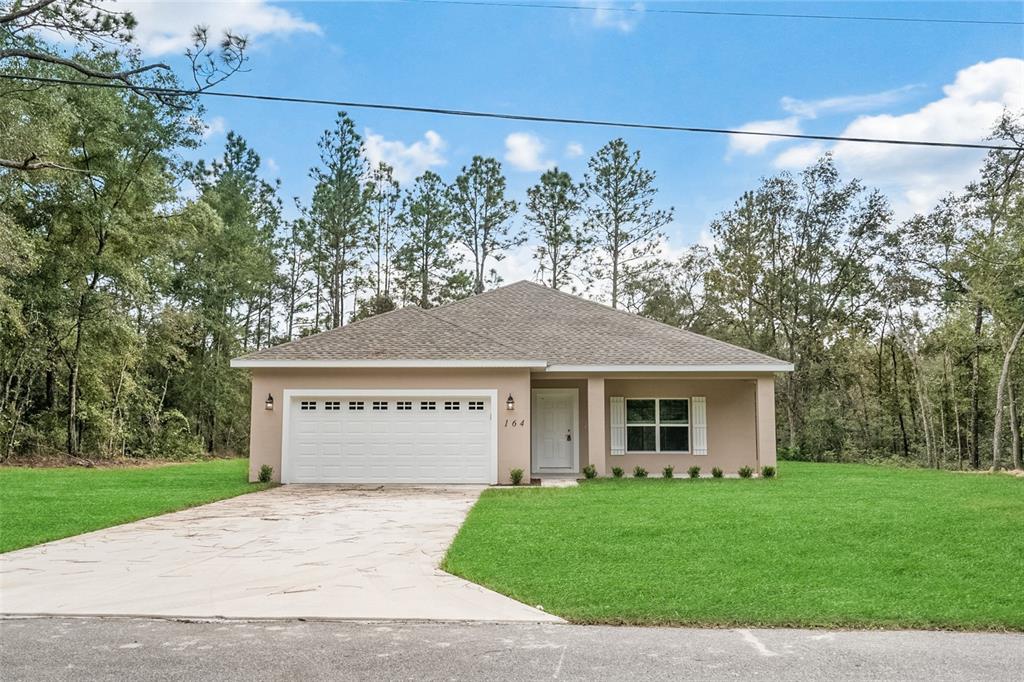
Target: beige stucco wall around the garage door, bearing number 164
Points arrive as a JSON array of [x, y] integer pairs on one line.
[[266, 438]]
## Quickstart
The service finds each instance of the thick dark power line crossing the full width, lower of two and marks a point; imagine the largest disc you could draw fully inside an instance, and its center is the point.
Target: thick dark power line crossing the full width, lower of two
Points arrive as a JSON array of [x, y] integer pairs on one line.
[[178, 93]]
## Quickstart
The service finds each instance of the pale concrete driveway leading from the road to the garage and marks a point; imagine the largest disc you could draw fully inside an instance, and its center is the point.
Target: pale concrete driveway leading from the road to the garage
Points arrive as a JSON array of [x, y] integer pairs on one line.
[[295, 551]]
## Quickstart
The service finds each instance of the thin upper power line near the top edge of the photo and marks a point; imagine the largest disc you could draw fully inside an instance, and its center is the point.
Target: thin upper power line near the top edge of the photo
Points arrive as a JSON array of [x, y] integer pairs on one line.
[[714, 13]]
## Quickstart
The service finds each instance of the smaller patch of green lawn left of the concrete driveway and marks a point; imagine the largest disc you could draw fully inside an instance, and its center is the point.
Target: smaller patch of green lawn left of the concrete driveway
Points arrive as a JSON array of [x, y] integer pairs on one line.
[[40, 505]]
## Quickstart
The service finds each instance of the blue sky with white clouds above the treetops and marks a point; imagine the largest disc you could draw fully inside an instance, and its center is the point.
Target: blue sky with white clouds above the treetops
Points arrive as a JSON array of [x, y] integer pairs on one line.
[[924, 81]]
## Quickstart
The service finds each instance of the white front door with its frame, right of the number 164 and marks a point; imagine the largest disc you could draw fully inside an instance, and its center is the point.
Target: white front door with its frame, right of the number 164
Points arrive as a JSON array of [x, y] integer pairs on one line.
[[556, 431]]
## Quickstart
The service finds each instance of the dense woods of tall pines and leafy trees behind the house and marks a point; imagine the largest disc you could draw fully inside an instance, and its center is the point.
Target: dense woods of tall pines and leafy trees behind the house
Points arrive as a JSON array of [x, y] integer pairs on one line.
[[130, 278]]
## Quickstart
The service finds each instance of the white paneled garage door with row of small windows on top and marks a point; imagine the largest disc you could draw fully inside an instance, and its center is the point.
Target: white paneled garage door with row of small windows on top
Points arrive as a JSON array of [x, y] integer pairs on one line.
[[387, 440]]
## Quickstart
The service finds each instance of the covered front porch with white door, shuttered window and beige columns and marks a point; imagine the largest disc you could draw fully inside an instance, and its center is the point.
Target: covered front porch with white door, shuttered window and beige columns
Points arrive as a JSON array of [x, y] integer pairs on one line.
[[652, 420]]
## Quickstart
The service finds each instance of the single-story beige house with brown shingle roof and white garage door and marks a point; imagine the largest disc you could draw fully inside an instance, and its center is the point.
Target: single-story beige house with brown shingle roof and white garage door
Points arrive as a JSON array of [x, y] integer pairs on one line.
[[522, 377]]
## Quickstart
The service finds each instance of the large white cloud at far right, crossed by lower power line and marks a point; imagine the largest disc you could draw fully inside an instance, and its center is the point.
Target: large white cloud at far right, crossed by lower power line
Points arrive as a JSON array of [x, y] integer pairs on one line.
[[915, 178]]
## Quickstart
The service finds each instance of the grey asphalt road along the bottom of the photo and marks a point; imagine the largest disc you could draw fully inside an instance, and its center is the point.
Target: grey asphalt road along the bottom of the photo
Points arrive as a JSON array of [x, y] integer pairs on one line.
[[90, 649]]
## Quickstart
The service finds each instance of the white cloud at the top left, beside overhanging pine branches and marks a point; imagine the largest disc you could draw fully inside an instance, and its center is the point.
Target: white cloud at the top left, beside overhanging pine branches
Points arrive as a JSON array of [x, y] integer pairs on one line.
[[165, 26]]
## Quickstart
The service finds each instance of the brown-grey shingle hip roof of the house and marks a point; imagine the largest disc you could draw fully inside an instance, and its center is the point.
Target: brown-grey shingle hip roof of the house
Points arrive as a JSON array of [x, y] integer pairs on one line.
[[521, 322]]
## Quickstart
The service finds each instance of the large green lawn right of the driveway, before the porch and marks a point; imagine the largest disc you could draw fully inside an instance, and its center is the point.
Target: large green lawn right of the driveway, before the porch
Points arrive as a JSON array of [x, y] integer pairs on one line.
[[826, 545]]
